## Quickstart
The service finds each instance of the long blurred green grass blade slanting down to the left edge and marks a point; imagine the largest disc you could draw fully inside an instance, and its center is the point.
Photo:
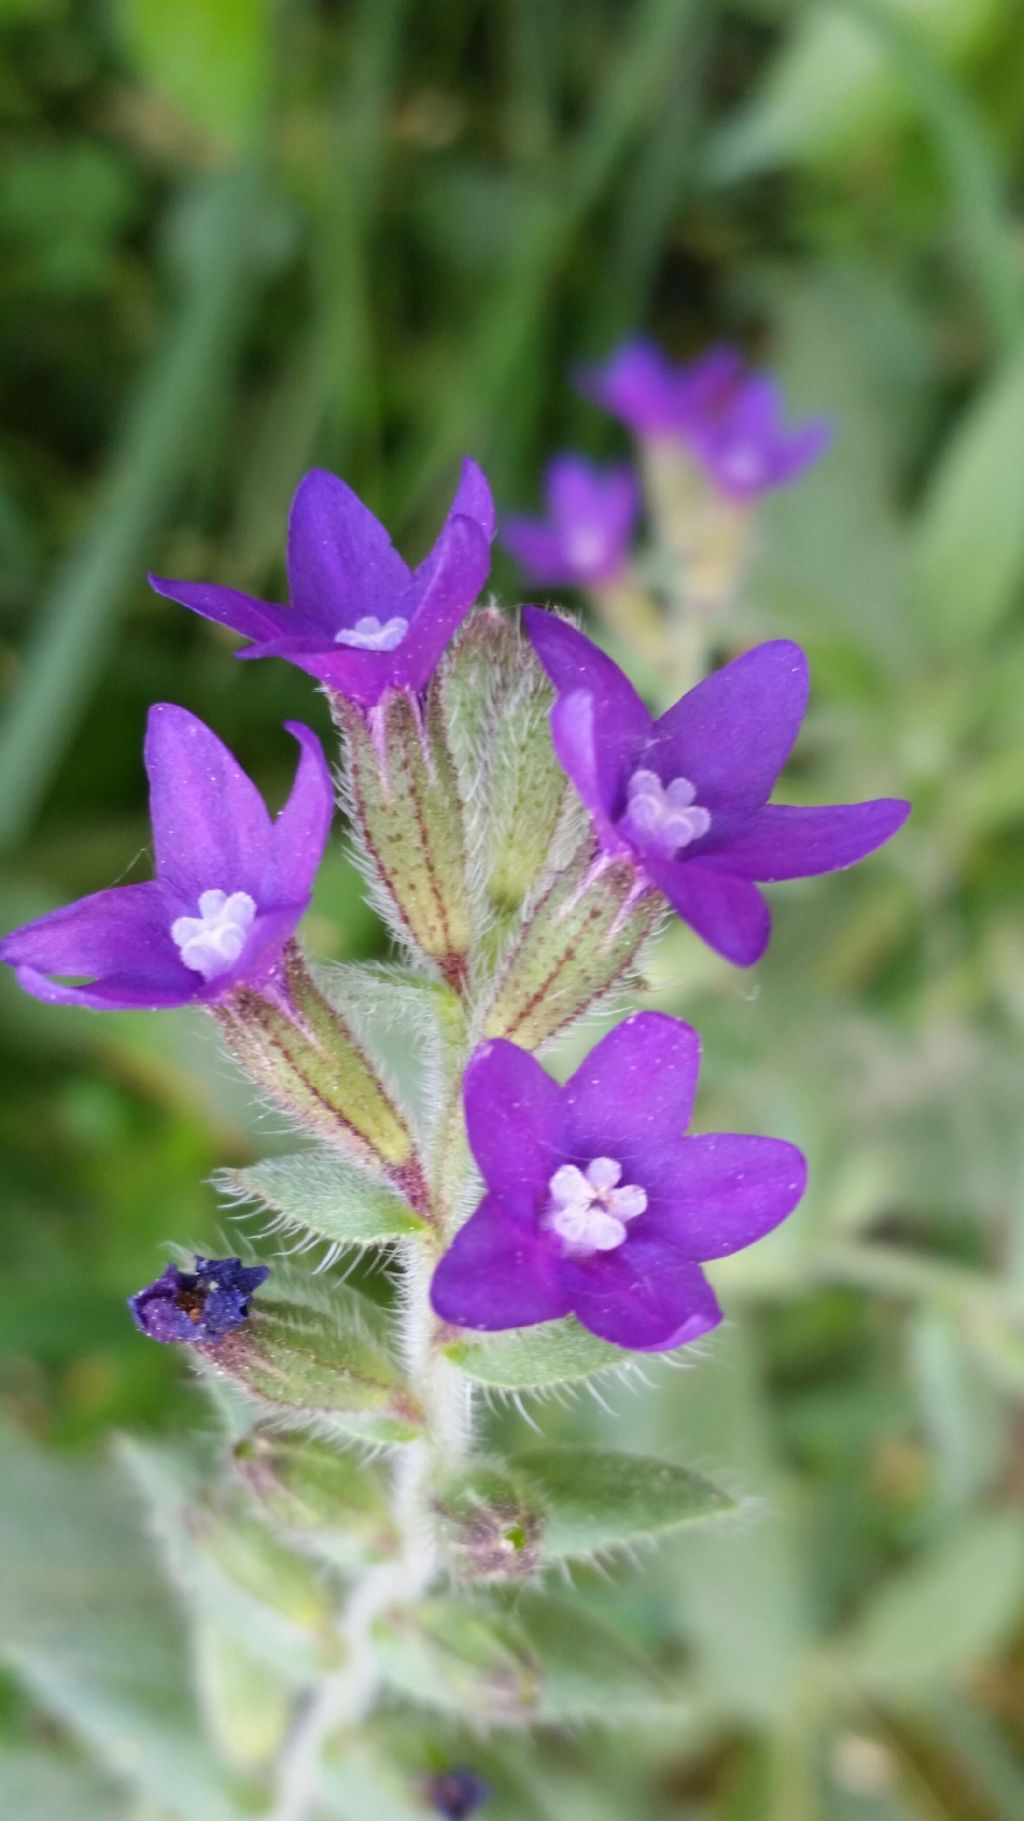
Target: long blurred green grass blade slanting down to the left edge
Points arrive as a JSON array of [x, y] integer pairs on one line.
[[76, 629]]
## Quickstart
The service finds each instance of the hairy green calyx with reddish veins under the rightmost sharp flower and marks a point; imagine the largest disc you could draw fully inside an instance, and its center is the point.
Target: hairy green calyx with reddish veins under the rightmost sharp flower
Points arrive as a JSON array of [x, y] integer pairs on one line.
[[582, 941]]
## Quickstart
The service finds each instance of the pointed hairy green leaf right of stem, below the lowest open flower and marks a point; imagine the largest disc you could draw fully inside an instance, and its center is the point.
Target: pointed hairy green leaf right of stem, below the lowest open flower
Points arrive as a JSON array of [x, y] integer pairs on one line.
[[599, 1498]]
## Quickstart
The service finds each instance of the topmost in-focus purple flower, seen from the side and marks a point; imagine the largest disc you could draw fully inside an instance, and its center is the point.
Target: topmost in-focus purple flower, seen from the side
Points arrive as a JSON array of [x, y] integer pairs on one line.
[[360, 618]]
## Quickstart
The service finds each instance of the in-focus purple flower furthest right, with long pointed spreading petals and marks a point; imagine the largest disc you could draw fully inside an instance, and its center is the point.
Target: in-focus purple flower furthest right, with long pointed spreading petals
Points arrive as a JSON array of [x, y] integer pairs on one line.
[[688, 797]]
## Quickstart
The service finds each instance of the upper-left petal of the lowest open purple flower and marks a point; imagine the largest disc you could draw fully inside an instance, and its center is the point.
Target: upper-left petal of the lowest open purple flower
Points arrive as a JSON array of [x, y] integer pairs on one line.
[[513, 1117]]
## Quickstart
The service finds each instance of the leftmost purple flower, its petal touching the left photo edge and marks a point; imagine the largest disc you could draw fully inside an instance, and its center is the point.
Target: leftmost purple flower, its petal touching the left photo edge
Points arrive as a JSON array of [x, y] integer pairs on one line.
[[229, 893]]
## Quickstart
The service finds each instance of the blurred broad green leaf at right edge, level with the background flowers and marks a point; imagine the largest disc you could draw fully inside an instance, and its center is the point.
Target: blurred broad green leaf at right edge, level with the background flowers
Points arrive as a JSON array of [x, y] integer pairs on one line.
[[970, 549]]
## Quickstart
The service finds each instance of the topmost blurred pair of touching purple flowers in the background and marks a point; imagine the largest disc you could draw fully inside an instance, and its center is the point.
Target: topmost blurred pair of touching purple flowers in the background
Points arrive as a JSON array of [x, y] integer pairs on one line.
[[730, 420]]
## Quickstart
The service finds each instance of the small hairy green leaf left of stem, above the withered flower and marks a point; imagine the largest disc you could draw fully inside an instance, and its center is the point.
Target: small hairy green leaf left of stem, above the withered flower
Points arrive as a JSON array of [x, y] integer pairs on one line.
[[327, 1195]]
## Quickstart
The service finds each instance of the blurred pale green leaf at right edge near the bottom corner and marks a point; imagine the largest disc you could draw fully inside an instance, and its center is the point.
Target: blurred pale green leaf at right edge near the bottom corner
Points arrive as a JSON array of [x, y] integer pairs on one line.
[[945, 1614]]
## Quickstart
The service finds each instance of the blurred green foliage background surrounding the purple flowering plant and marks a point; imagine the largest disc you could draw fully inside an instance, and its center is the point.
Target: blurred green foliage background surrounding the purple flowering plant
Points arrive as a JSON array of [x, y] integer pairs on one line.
[[241, 239]]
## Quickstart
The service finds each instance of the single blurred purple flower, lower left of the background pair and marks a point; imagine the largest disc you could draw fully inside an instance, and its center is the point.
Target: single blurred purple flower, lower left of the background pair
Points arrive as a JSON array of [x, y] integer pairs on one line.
[[589, 527]]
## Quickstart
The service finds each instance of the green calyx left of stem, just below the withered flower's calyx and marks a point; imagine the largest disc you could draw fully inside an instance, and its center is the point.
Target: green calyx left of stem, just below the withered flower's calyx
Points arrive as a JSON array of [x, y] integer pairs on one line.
[[318, 1494]]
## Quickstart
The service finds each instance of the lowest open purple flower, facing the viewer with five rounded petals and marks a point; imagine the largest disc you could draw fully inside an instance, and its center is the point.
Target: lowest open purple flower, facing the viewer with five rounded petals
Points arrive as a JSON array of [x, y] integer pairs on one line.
[[597, 1205]]
